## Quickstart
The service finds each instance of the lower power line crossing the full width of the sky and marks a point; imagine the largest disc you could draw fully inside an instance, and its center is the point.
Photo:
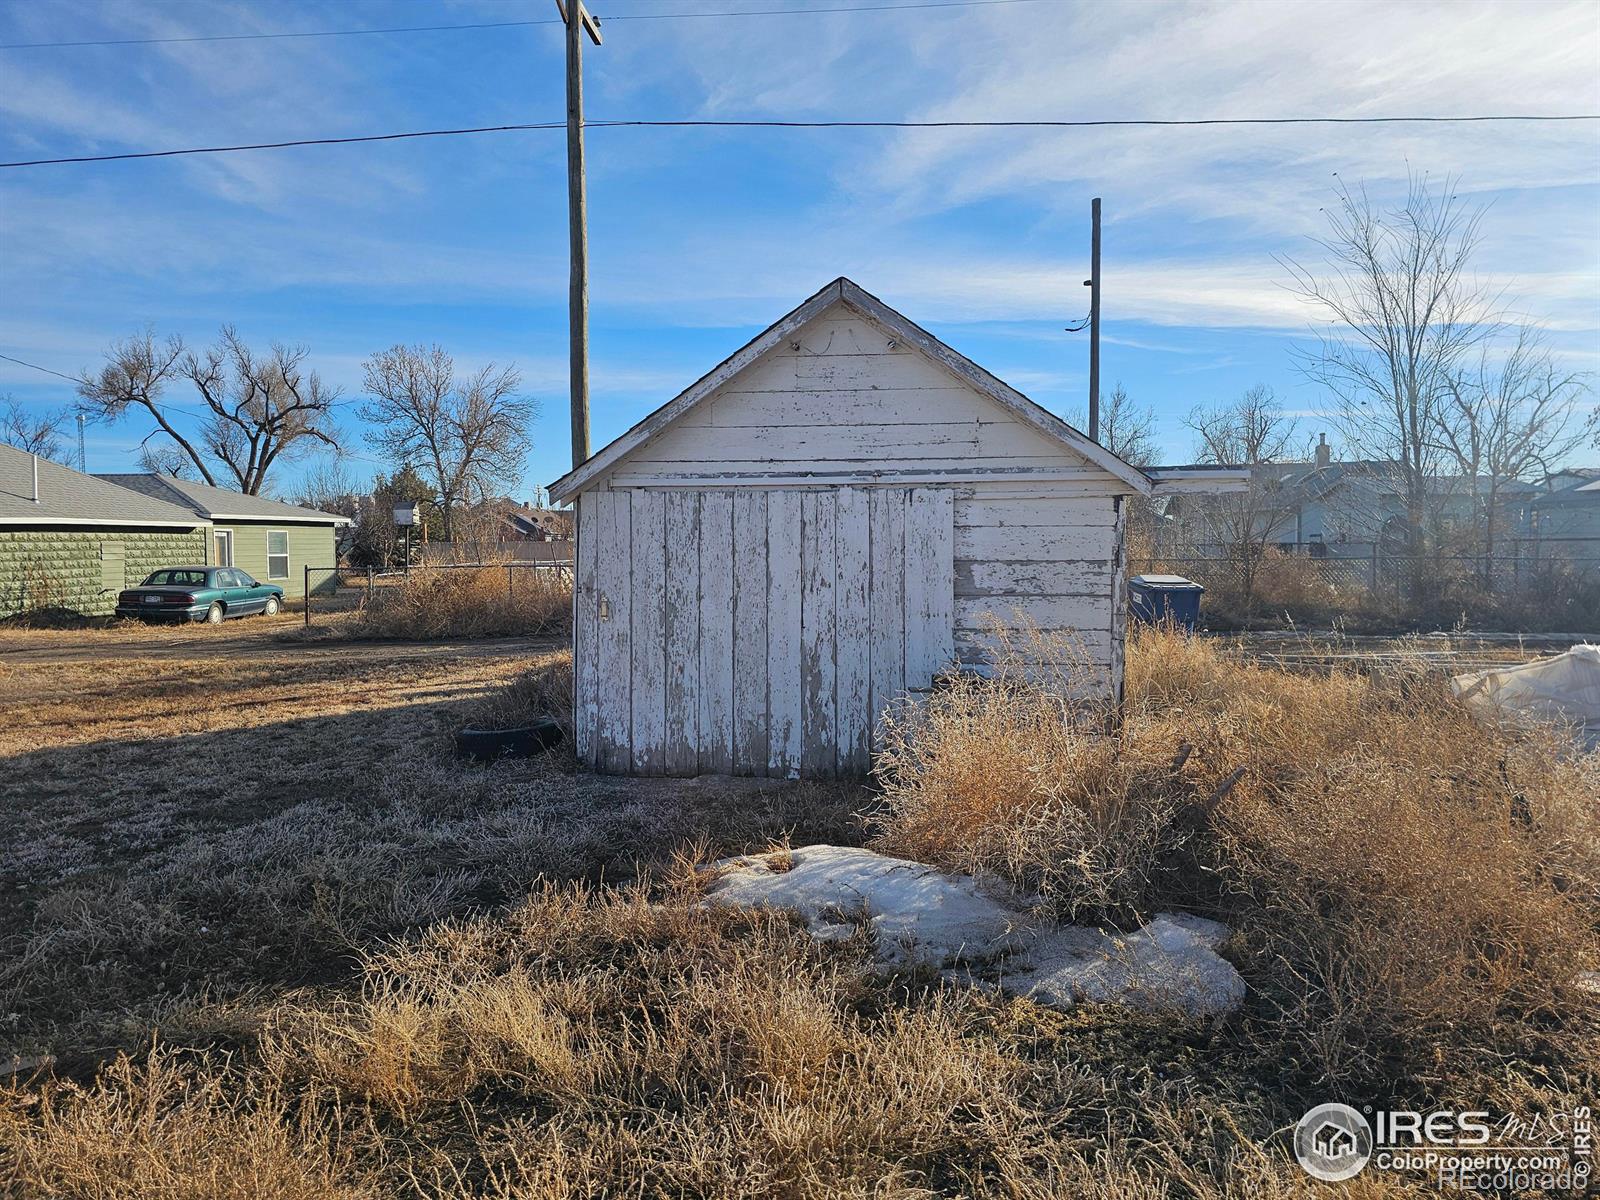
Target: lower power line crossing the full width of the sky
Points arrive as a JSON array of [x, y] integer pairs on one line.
[[694, 124]]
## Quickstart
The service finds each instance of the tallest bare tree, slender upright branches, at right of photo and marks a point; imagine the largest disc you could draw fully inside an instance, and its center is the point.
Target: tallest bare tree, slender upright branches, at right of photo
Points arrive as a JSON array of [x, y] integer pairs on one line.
[[1404, 313]]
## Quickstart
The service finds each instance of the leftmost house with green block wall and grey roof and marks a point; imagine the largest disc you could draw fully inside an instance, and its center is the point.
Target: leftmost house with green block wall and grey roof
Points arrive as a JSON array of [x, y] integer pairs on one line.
[[71, 542]]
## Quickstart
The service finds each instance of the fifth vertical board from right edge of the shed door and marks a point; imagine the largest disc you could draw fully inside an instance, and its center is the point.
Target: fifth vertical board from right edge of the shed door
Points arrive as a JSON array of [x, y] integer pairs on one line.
[[785, 590]]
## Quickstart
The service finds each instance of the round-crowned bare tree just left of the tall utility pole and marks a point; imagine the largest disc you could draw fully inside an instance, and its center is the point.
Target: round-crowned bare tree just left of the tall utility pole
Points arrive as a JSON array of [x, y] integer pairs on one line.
[[466, 436]]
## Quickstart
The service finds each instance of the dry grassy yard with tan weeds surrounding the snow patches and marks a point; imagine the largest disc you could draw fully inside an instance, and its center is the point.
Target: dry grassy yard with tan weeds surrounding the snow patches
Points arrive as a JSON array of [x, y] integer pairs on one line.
[[266, 937]]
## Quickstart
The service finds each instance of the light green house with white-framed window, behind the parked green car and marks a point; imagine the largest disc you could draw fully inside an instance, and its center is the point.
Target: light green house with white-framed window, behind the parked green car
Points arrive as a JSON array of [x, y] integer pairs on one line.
[[270, 540]]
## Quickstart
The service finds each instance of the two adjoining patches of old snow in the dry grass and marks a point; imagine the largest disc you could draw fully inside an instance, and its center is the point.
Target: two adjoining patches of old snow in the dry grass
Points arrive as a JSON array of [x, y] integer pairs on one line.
[[921, 916]]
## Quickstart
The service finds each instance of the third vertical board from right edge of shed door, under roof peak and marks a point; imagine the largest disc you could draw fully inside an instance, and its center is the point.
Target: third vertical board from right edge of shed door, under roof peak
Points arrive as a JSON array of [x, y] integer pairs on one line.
[[854, 630]]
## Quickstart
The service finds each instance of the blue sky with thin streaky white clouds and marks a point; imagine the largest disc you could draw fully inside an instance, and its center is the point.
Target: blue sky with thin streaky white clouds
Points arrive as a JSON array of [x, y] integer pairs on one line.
[[703, 238]]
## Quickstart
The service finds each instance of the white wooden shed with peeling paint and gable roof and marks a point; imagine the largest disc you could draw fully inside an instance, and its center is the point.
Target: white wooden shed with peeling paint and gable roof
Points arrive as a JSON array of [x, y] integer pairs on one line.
[[818, 527]]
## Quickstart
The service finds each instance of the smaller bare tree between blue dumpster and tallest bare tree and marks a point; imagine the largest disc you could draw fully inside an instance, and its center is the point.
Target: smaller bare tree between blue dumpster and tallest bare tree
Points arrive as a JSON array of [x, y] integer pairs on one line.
[[1247, 433]]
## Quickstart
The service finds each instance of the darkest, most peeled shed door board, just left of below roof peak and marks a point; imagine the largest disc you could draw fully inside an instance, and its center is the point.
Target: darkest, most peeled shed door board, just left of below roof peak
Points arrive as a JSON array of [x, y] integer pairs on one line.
[[818, 652]]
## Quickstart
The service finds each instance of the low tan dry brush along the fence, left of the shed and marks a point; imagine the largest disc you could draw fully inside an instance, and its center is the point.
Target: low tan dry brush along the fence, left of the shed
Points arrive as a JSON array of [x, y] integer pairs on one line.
[[468, 602]]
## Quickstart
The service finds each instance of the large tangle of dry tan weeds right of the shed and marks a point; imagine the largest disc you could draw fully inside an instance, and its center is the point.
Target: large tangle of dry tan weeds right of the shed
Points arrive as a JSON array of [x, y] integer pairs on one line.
[[1404, 881]]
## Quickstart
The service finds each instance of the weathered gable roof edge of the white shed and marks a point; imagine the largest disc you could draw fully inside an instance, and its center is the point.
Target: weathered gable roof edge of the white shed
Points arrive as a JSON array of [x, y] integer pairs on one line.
[[870, 306]]
